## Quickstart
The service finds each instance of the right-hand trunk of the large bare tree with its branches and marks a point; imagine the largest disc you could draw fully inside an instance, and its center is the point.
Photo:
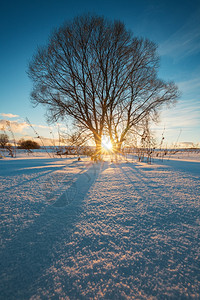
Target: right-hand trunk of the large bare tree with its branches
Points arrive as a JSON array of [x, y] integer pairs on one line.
[[143, 93]]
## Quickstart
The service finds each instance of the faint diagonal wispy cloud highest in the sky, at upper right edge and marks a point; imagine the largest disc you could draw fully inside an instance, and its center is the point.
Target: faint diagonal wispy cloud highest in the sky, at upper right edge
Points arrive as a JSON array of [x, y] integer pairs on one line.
[[185, 41]]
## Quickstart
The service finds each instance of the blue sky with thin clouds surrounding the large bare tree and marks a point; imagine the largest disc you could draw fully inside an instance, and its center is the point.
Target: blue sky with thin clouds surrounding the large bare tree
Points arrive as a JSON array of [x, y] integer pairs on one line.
[[173, 25]]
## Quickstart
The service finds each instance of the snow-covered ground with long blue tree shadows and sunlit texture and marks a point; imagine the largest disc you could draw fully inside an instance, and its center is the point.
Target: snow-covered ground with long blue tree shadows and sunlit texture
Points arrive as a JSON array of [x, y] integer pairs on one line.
[[77, 230]]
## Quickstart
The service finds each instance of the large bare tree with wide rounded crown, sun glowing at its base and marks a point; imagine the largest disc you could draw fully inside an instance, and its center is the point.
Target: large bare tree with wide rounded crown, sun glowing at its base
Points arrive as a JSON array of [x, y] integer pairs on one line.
[[96, 72]]
